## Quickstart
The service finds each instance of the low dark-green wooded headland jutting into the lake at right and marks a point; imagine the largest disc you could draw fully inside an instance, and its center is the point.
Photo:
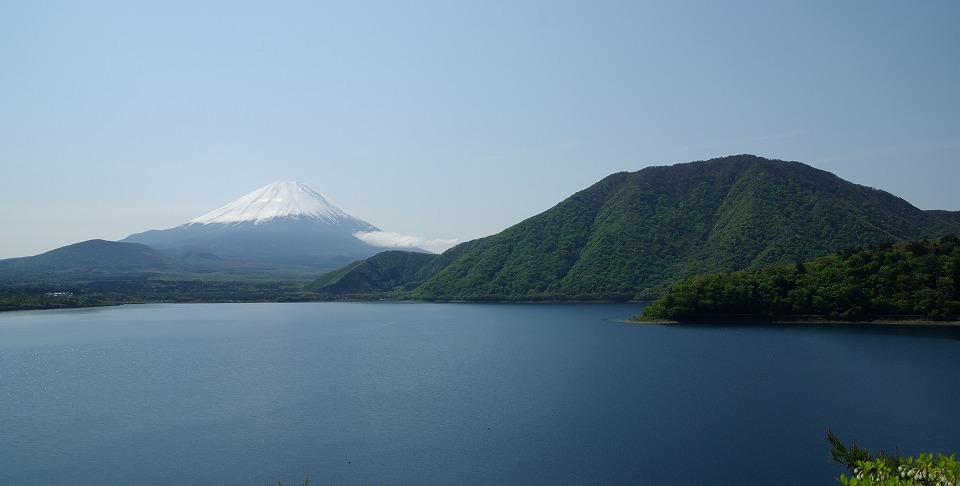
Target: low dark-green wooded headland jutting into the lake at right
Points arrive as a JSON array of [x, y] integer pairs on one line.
[[921, 278]]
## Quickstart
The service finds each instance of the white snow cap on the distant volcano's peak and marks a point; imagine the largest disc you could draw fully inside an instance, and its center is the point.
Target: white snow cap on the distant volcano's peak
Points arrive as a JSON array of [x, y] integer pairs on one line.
[[291, 200]]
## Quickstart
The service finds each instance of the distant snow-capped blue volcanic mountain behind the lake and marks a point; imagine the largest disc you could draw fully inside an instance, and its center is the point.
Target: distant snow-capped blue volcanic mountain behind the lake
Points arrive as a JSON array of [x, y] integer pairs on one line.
[[279, 228]]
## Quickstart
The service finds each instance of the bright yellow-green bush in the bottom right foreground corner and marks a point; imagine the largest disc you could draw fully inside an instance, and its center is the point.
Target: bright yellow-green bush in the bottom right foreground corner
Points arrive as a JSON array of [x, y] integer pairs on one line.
[[886, 470]]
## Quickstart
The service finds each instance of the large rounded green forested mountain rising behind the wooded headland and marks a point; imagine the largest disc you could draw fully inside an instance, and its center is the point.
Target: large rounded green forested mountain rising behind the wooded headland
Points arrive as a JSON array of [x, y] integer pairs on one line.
[[632, 235]]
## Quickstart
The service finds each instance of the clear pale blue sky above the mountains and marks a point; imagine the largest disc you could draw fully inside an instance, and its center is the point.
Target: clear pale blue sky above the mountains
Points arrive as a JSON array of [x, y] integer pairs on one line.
[[451, 119]]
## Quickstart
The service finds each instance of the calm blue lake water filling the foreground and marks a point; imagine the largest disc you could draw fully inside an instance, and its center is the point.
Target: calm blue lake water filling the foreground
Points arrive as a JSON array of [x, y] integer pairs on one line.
[[415, 393]]
